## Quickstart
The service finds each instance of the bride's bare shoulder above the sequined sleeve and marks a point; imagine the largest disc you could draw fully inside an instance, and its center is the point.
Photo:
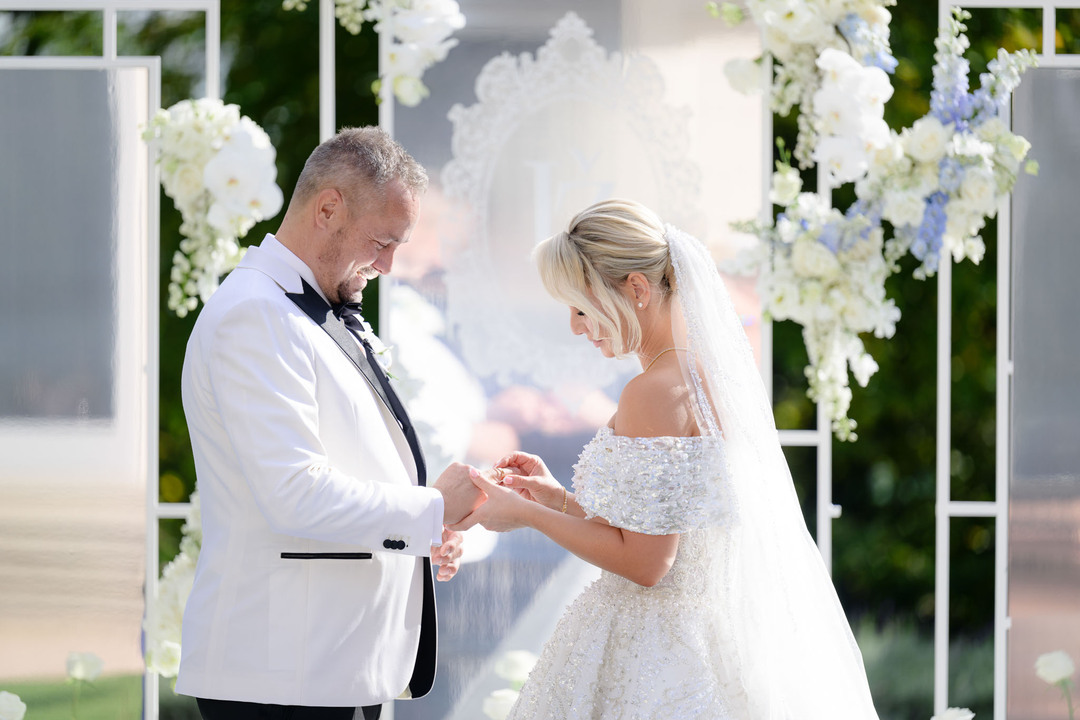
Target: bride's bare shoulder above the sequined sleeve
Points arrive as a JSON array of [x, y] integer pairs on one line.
[[656, 405]]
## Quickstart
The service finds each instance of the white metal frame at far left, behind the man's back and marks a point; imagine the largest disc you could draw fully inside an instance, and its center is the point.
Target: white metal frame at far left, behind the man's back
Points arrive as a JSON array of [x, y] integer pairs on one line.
[[156, 511]]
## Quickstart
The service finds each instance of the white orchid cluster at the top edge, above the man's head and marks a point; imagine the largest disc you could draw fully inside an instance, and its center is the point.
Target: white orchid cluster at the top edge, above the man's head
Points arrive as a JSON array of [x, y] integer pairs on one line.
[[420, 33]]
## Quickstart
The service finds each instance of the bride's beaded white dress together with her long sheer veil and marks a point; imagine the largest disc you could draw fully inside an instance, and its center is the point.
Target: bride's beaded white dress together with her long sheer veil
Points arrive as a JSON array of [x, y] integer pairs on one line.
[[747, 624]]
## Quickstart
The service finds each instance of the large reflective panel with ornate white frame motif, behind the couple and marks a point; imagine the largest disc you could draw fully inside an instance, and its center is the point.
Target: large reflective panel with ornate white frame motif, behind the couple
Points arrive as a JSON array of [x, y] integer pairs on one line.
[[490, 357]]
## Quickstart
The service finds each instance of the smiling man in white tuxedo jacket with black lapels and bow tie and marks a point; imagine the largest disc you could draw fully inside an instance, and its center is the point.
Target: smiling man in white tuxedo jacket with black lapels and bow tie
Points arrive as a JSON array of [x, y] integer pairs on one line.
[[314, 592]]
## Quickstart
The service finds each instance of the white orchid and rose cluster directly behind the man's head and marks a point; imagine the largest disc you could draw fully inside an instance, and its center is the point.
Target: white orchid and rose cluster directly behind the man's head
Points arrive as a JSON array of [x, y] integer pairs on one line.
[[219, 168]]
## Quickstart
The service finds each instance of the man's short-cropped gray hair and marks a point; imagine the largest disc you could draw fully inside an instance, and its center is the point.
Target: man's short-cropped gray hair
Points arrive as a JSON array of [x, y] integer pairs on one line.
[[358, 160]]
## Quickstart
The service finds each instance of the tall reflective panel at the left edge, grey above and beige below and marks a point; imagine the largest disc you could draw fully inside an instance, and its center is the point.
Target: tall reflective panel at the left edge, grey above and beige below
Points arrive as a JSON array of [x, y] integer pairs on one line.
[[74, 384]]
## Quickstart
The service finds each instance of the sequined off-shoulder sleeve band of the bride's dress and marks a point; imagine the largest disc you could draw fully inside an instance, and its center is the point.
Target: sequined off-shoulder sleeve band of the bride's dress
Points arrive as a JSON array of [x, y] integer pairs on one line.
[[655, 486]]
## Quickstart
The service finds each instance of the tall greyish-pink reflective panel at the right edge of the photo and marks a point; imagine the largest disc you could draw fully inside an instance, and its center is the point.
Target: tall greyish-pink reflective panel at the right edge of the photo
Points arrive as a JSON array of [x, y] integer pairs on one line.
[[1045, 484]]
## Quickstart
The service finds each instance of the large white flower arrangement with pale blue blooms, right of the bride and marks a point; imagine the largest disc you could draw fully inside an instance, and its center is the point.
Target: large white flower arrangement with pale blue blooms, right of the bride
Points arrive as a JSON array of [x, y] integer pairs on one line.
[[936, 183]]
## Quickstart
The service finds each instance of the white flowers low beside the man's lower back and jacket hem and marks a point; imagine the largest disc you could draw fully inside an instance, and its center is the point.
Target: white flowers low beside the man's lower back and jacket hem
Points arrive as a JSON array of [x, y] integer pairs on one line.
[[163, 627]]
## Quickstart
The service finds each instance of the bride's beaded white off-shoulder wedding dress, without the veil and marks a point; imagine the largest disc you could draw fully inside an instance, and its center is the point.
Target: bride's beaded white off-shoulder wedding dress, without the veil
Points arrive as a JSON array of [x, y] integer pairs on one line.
[[628, 653]]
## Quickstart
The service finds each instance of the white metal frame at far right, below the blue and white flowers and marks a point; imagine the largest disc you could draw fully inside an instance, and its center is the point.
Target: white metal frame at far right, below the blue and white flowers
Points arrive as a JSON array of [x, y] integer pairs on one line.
[[947, 508]]
